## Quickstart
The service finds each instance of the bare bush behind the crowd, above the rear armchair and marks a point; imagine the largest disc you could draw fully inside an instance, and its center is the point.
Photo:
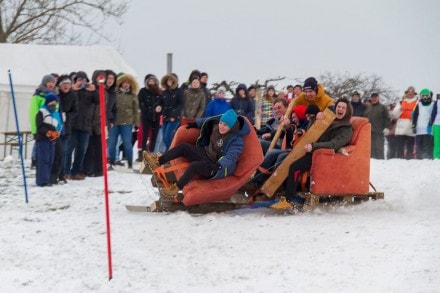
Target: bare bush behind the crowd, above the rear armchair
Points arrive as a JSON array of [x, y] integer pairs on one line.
[[337, 85]]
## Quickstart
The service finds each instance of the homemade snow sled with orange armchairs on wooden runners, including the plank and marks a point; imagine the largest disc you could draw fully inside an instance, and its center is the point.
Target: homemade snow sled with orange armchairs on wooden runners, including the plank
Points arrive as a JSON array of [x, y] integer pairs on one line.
[[335, 178]]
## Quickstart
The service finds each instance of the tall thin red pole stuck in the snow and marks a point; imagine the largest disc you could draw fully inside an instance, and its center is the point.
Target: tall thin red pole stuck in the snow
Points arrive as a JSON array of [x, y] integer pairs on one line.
[[101, 80]]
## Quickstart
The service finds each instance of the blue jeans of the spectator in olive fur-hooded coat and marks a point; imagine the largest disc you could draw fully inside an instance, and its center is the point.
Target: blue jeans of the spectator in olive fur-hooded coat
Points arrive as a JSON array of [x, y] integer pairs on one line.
[[125, 131]]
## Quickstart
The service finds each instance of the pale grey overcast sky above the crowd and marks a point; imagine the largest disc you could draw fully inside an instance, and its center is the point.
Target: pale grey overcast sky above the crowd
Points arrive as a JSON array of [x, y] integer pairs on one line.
[[245, 41]]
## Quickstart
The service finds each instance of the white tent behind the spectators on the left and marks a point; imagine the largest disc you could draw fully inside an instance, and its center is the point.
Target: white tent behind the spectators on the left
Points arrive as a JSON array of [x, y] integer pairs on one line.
[[28, 65]]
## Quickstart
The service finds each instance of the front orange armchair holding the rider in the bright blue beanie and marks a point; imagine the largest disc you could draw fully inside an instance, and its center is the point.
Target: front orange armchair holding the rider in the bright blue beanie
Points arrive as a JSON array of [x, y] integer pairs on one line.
[[200, 191]]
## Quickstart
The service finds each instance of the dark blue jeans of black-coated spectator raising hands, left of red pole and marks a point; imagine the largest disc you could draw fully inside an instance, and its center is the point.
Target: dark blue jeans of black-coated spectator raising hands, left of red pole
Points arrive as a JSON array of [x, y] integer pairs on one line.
[[78, 141]]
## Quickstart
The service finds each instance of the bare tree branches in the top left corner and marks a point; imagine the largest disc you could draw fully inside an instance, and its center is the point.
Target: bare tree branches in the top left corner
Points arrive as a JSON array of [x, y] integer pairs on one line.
[[55, 21]]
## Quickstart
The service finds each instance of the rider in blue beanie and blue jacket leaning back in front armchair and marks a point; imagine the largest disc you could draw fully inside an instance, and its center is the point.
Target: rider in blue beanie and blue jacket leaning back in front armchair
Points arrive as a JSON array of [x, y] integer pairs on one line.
[[216, 151]]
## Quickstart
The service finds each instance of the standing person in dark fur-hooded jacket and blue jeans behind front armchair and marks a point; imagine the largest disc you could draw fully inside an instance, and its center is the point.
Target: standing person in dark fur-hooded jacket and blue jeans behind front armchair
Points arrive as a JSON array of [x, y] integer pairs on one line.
[[171, 102]]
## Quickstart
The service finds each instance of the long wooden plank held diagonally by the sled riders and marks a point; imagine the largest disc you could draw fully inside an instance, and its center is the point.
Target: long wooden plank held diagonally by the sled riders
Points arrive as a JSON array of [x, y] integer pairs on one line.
[[316, 130]]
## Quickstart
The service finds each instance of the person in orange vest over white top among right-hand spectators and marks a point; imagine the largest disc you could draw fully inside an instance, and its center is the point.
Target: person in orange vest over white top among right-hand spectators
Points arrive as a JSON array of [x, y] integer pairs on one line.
[[403, 131]]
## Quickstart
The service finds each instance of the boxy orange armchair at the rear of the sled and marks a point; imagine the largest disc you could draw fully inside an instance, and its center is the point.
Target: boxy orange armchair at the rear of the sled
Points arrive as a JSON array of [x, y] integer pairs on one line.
[[335, 173]]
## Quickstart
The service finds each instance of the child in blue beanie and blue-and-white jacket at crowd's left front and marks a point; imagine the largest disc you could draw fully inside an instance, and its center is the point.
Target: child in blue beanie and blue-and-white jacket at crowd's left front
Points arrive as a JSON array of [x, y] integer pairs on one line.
[[49, 125]]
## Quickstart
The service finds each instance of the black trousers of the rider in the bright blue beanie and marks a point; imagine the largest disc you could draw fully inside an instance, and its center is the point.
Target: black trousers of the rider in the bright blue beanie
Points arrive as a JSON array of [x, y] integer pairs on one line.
[[200, 165]]
